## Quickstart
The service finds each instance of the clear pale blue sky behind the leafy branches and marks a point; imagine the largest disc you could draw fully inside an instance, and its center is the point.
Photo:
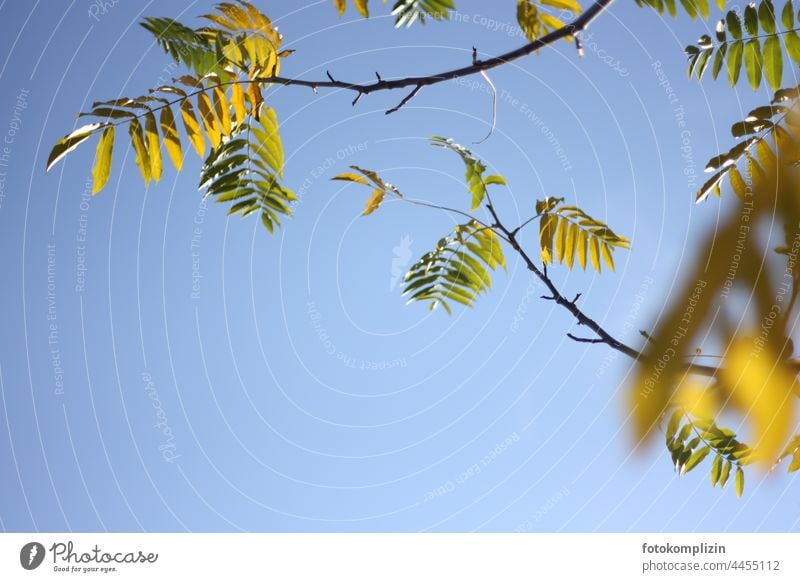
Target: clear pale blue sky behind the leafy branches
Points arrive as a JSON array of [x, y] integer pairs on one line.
[[299, 392]]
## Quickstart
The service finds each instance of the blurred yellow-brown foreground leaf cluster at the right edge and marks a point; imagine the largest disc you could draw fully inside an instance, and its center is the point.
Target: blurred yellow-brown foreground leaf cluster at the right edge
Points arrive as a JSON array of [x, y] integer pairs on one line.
[[739, 295]]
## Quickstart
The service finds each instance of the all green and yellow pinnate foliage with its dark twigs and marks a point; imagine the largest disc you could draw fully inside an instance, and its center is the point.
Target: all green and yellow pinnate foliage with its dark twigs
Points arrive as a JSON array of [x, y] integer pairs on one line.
[[217, 109]]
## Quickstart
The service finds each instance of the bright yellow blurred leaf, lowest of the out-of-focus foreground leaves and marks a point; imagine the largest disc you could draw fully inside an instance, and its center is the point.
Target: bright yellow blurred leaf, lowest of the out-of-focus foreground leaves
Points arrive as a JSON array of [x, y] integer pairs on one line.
[[761, 386]]
